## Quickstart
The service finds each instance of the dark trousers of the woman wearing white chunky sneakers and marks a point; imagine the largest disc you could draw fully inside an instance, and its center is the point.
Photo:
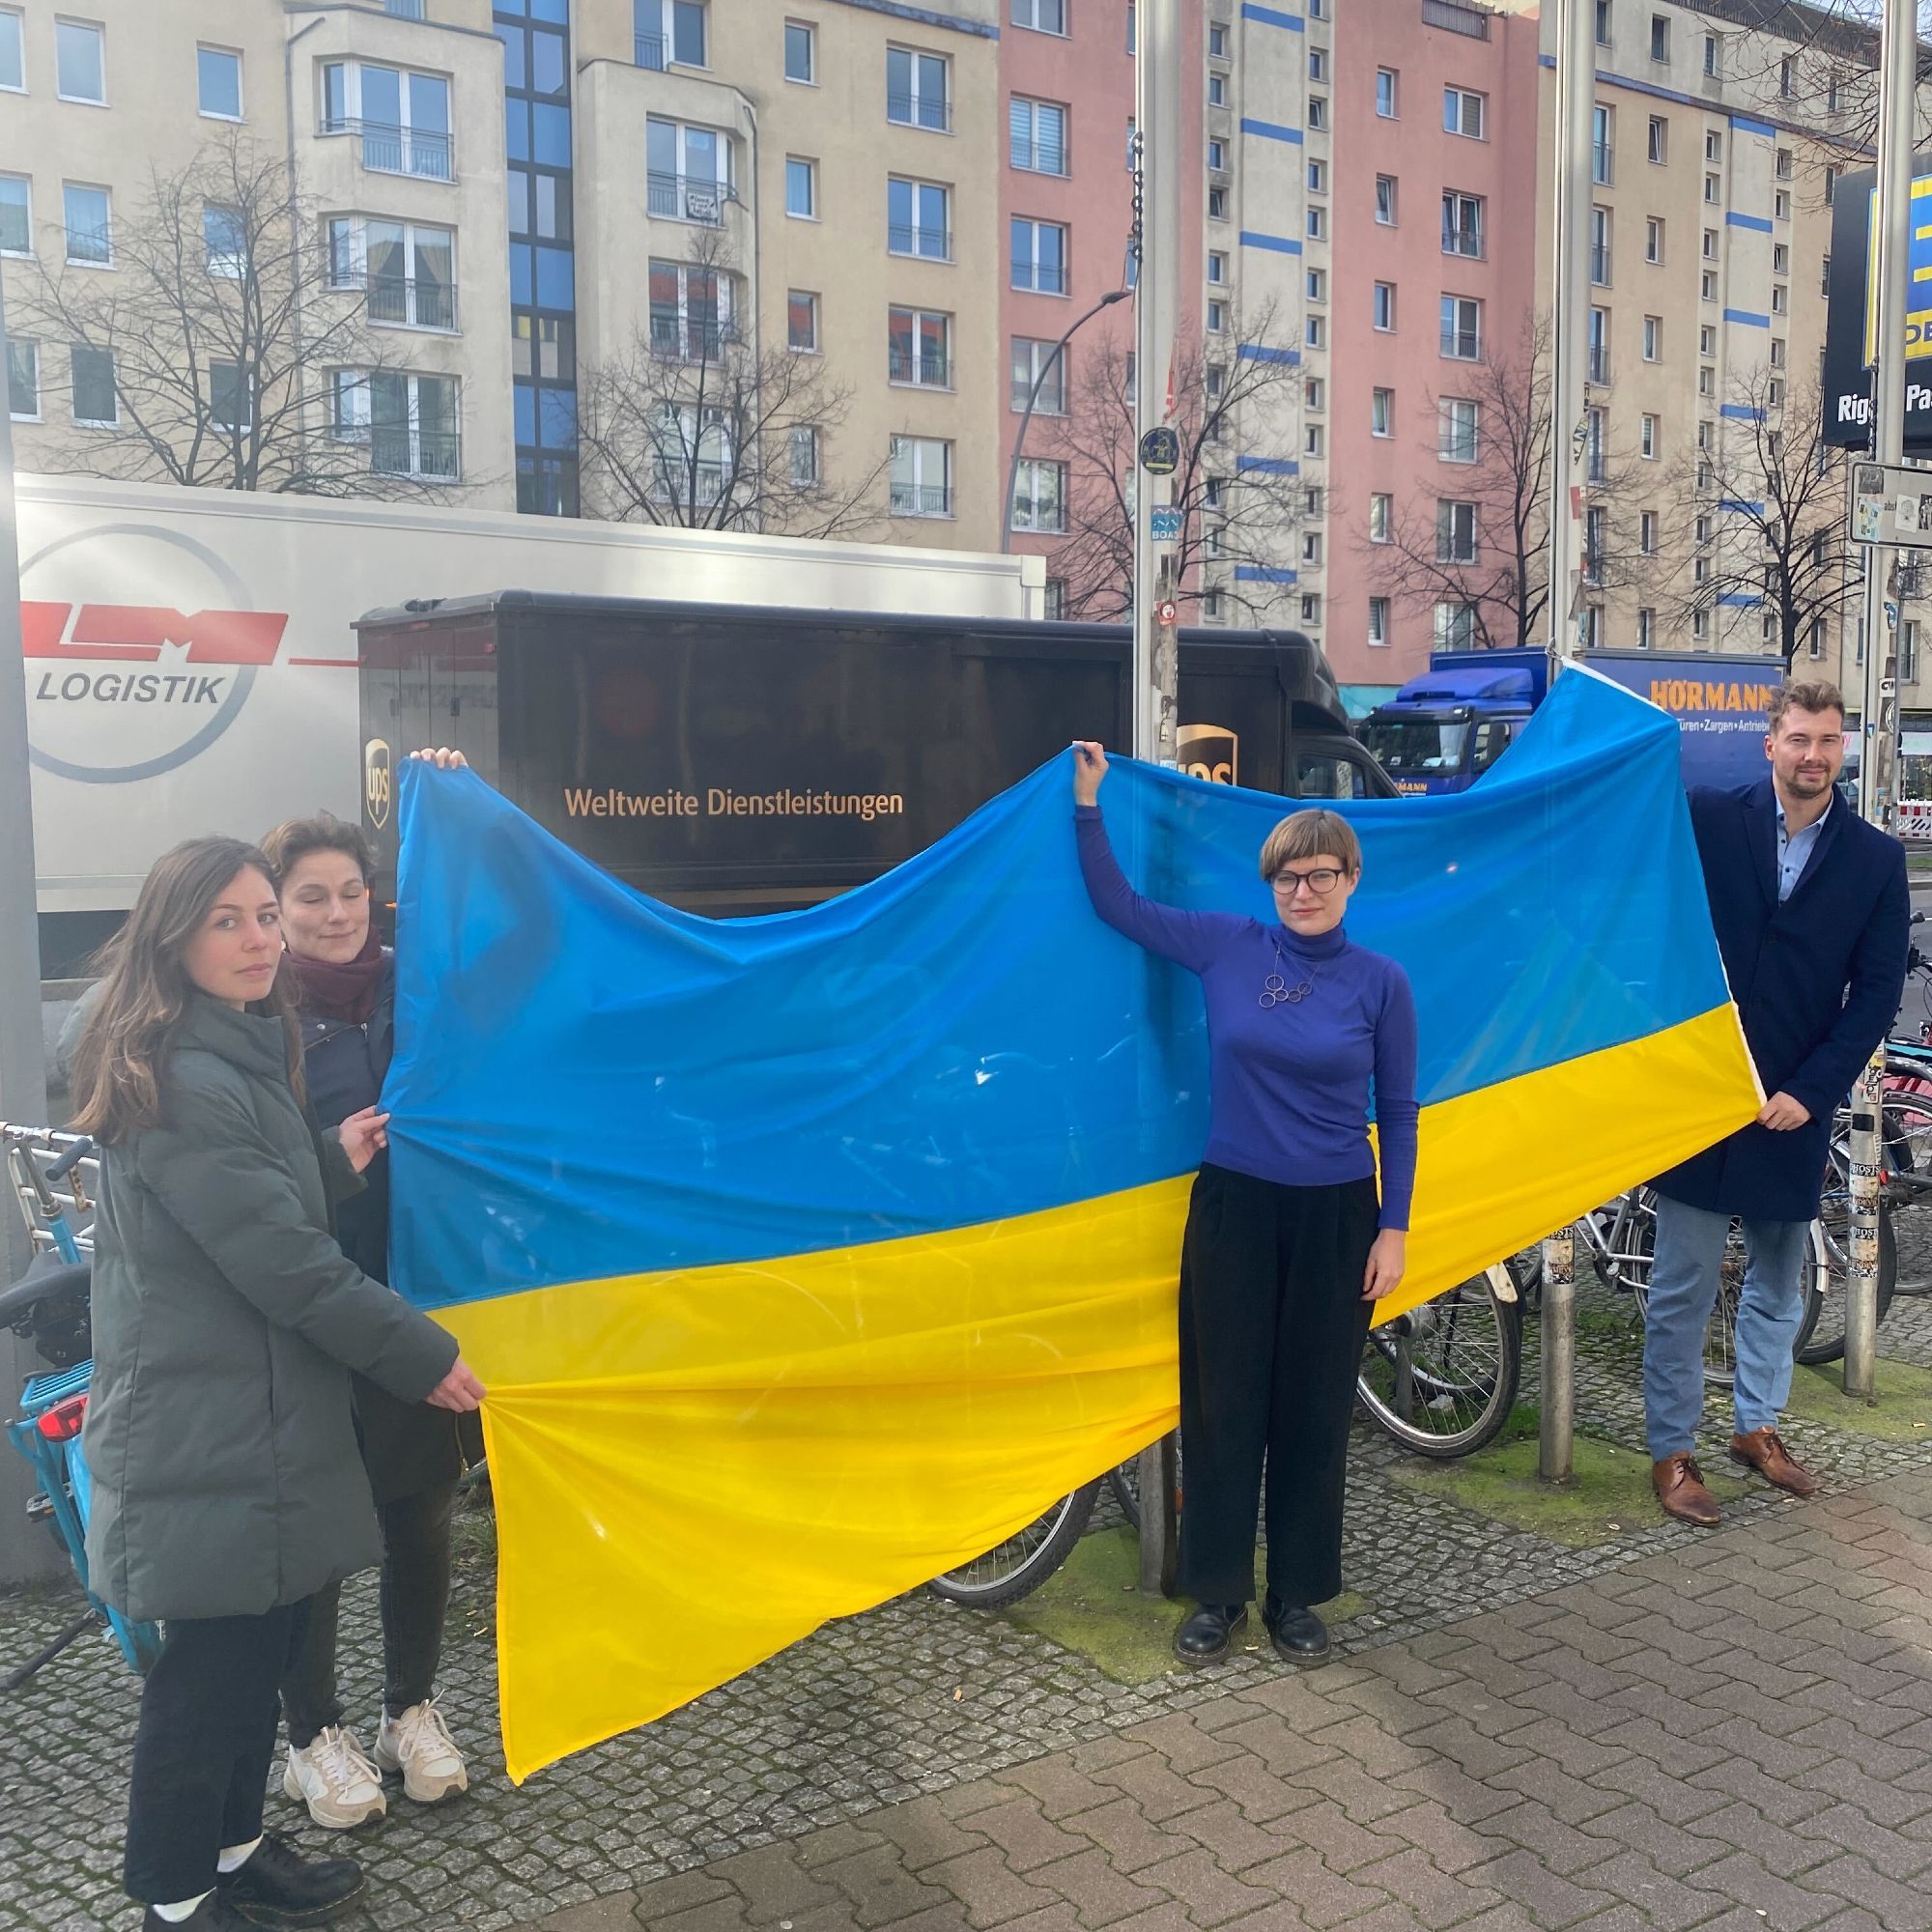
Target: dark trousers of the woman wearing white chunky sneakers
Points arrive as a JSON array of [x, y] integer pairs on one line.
[[414, 1597]]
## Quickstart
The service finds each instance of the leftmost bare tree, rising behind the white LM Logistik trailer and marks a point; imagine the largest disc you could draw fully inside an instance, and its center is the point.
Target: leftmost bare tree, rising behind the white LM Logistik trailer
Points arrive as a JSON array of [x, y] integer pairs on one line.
[[231, 345]]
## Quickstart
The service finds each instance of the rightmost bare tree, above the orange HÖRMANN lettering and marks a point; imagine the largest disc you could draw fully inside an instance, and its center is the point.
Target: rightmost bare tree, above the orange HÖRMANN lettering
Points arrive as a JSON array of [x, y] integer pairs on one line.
[[1761, 519]]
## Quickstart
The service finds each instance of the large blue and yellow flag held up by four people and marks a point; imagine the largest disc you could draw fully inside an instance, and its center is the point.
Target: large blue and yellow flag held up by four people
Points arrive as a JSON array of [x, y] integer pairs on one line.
[[810, 1257]]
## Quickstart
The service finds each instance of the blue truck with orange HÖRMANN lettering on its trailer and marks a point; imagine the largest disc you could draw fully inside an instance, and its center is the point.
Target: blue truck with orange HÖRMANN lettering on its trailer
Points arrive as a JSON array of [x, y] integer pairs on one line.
[[1448, 727]]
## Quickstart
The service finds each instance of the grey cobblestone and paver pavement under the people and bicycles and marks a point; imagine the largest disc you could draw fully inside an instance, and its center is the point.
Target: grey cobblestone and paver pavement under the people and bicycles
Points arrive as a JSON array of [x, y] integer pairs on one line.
[[890, 1722]]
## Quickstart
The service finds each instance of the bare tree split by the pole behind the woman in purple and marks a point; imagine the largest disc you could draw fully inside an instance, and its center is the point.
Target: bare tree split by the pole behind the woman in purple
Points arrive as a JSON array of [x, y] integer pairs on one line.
[[1239, 521]]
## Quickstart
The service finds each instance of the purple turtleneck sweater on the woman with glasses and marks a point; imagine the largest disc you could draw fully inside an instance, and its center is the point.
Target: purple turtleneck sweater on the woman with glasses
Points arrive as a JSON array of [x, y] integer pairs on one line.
[[1292, 1083]]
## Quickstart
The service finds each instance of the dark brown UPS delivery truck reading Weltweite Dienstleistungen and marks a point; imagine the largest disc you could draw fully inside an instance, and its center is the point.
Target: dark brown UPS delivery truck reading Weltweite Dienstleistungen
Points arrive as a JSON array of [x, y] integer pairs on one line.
[[743, 760]]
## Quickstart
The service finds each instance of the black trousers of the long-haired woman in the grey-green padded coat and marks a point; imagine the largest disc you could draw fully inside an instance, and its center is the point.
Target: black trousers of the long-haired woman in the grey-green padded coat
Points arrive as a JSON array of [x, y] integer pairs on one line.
[[204, 1747]]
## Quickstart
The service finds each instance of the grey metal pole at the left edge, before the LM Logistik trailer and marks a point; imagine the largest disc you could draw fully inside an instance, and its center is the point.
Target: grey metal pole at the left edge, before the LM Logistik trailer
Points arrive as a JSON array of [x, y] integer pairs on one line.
[[22, 1062]]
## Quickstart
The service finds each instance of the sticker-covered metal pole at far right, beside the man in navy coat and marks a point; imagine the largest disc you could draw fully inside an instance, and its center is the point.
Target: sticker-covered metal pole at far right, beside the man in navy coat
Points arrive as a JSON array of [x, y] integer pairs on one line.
[[1898, 84]]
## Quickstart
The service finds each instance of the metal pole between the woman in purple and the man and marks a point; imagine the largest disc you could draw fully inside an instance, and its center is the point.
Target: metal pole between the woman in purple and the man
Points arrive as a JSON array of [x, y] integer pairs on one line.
[[1570, 314]]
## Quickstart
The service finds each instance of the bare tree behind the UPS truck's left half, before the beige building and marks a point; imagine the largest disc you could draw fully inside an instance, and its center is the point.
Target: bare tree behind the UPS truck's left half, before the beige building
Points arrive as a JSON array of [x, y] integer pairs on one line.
[[696, 426]]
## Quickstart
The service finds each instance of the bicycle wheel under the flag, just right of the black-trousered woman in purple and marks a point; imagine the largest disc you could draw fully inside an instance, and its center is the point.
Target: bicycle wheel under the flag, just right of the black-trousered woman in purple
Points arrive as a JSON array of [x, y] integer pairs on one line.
[[1444, 1378]]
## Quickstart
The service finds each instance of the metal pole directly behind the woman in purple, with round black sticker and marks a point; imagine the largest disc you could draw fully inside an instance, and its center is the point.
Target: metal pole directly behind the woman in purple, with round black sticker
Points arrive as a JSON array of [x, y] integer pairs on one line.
[[1156, 660]]
